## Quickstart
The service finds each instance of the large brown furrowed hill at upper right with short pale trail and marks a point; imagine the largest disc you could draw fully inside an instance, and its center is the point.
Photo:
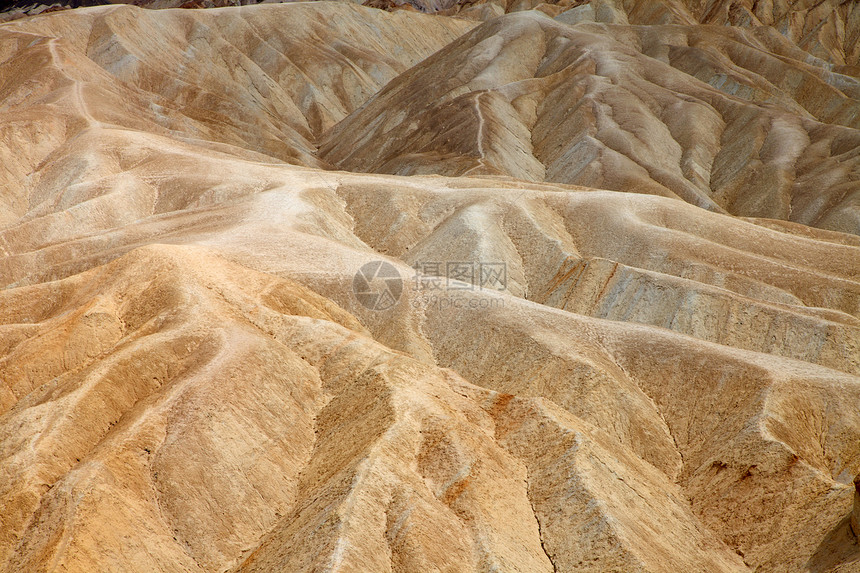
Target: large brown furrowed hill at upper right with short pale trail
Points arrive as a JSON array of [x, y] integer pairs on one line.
[[723, 118]]
